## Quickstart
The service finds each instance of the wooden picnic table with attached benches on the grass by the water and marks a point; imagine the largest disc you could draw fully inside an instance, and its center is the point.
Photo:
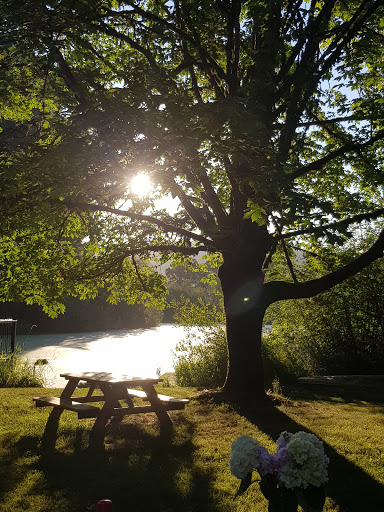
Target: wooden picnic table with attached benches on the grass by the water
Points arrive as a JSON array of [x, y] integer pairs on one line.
[[109, 390]]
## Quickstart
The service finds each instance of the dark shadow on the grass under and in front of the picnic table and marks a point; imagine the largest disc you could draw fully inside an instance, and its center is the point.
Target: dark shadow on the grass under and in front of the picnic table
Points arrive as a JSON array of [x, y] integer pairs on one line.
[[140, 469]]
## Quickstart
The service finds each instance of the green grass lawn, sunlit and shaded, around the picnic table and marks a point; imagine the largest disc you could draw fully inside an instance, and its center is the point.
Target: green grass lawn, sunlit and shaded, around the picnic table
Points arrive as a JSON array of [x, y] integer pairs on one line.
[[142, 470]]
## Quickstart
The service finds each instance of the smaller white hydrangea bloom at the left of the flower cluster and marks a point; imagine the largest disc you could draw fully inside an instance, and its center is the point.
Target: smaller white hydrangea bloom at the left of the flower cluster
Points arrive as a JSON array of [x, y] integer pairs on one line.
[[244, 453]]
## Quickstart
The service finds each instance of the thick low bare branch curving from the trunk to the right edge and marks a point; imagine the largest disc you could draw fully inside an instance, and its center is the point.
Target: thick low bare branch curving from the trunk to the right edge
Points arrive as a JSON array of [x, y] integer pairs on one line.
[[279, 290]]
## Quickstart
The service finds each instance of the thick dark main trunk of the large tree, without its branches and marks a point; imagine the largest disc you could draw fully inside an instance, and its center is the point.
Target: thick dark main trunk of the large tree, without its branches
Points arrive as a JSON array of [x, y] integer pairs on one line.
[[242, 282]]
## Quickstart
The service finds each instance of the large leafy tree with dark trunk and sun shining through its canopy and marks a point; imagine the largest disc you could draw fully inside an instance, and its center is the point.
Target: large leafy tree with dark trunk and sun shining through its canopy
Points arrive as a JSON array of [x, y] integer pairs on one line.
[[264, 118]]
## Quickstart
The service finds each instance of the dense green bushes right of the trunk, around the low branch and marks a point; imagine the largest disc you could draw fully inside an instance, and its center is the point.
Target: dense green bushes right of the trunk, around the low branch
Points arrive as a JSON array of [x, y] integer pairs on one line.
[[338, 332]]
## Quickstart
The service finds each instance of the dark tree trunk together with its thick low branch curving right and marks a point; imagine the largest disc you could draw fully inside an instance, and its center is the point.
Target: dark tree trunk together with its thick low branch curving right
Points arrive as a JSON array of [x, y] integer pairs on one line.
[[247, 296]]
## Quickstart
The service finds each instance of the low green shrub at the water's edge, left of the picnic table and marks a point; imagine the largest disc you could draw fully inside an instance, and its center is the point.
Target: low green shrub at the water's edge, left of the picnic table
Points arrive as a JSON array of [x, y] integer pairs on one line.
[[18, 373]]
